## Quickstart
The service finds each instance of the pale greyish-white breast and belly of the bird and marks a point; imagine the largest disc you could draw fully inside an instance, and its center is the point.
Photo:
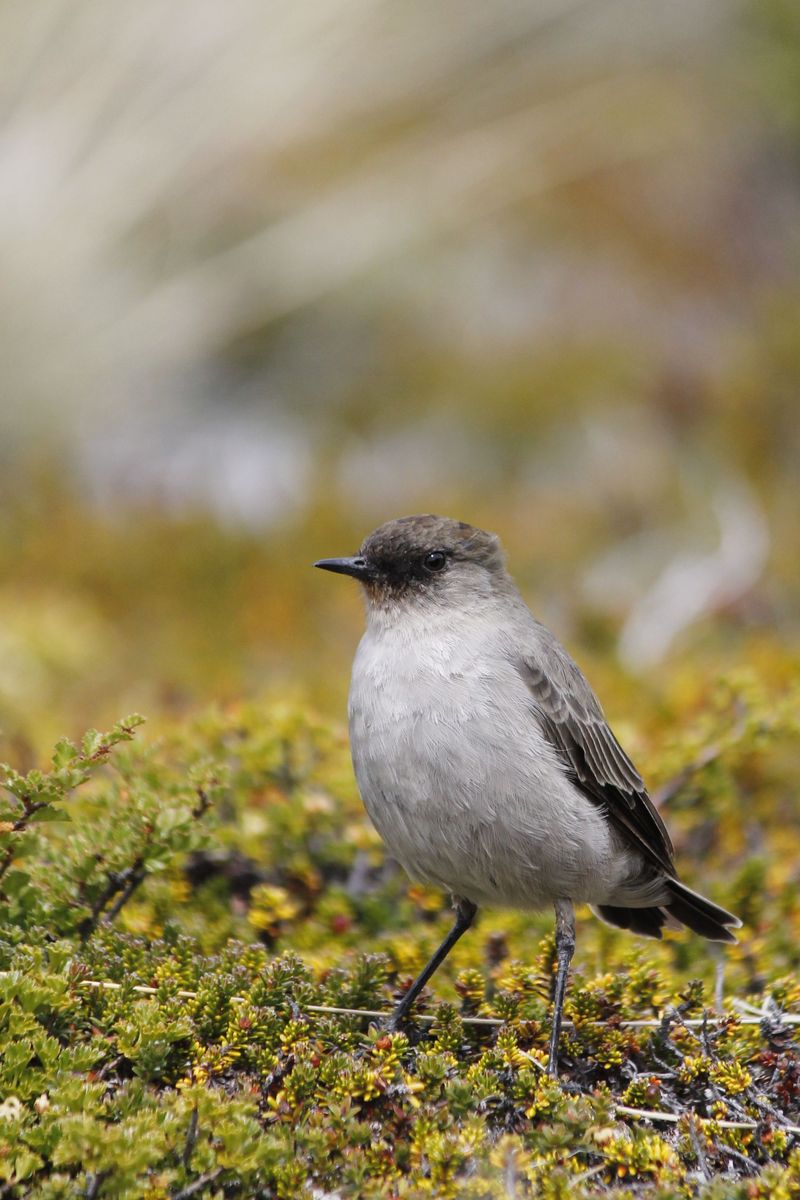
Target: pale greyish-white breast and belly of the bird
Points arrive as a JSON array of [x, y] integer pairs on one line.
[[458, 776]]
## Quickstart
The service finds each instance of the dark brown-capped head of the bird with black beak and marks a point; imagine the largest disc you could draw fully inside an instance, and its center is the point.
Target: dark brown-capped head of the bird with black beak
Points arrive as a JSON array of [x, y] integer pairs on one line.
[[424, 559]]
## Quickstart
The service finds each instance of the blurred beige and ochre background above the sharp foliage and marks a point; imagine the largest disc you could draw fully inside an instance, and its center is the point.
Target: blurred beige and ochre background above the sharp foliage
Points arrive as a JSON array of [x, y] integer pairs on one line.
[[273, 275]]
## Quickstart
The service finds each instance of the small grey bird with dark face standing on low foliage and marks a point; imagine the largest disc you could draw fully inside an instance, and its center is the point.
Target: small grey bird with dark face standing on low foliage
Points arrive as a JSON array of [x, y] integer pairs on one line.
[[484, 758]]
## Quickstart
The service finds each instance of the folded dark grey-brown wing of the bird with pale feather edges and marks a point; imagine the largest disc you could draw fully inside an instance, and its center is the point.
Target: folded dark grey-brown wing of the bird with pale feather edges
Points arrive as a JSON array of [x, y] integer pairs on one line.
[[574, 723]]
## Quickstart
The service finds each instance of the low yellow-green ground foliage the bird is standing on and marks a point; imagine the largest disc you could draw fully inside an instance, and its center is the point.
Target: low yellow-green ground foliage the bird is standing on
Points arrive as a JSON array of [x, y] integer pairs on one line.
[[176, 911]]
